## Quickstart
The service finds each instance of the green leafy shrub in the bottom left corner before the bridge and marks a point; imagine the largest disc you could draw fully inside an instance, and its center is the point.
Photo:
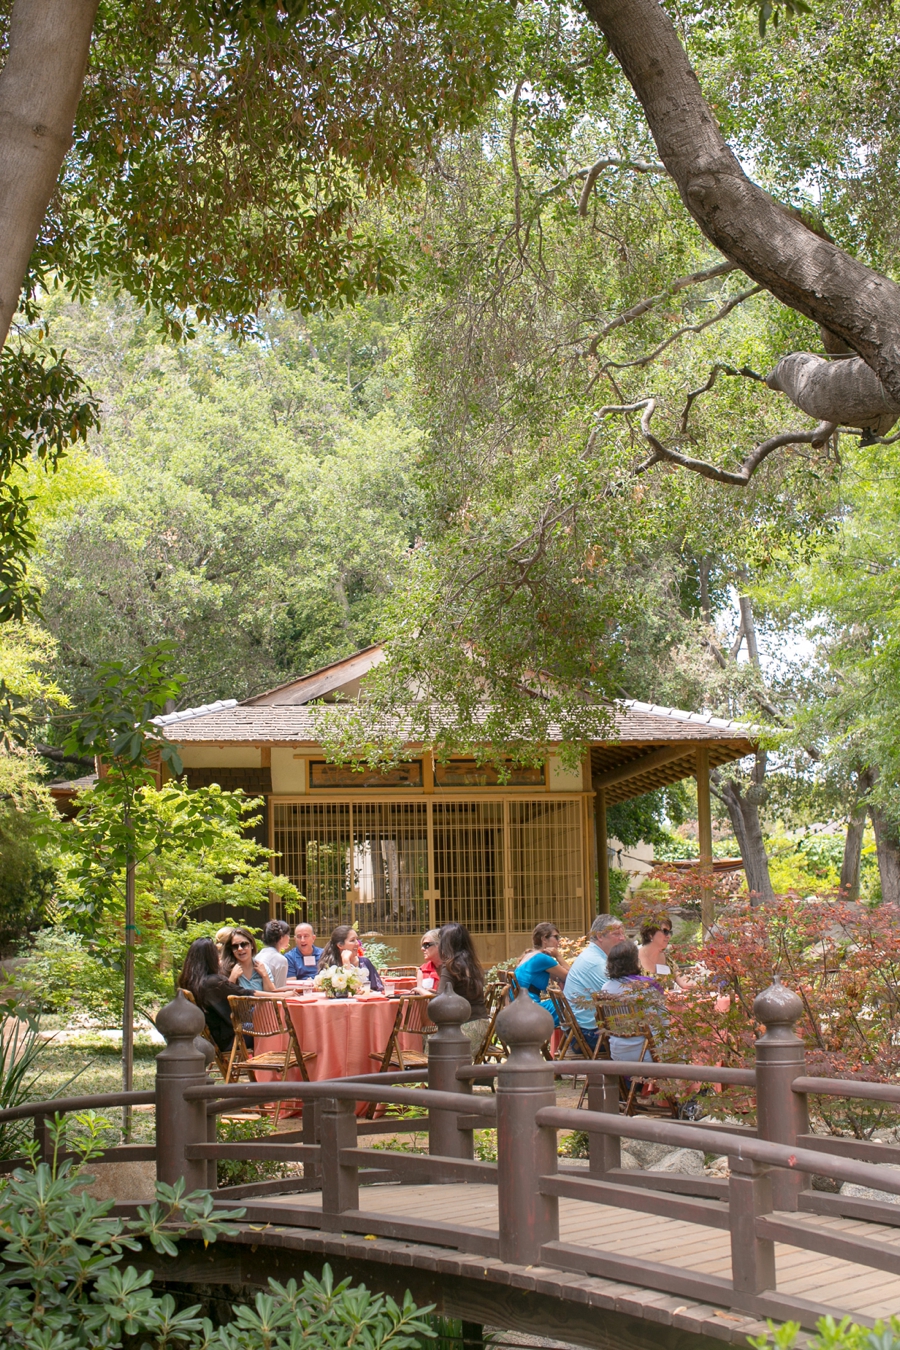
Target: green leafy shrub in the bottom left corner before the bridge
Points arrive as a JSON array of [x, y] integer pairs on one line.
[[64, 1285]]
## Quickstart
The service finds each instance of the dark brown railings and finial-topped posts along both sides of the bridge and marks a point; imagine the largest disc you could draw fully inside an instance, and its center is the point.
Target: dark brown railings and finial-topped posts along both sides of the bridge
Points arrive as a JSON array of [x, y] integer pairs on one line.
[[766, 1201]]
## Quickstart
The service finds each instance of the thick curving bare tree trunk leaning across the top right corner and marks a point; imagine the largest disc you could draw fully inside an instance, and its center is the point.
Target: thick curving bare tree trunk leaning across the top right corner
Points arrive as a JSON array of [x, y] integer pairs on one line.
[[767, 241]]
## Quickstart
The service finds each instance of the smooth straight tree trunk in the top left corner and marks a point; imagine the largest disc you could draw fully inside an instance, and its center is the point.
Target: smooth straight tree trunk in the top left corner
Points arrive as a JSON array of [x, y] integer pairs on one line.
[[40, 91]]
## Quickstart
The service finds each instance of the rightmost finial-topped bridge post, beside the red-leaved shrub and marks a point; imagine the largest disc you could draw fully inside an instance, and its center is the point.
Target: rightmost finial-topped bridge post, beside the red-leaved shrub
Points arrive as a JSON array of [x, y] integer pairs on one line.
[[781, 1058]]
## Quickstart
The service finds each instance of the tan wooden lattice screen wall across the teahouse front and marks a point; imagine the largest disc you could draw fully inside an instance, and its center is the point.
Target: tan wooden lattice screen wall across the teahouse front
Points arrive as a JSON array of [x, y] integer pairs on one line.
[[496, 866]]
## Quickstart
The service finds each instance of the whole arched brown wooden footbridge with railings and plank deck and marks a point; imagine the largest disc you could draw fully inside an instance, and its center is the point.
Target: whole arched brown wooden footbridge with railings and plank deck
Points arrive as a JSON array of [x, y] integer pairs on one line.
[[598, 1256]]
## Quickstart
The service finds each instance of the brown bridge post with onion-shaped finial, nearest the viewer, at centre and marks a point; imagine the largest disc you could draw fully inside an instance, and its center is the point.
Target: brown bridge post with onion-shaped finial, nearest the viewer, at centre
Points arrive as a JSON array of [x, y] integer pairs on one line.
[[524, 1150]]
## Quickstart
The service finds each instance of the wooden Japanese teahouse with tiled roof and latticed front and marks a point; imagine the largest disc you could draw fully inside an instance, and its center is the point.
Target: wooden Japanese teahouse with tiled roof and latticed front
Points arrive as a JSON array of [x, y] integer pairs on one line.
[[427, 843]]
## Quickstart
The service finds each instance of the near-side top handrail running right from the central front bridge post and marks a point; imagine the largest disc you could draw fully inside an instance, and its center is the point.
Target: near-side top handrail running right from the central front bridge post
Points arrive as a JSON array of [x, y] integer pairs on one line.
[[736, 1147]]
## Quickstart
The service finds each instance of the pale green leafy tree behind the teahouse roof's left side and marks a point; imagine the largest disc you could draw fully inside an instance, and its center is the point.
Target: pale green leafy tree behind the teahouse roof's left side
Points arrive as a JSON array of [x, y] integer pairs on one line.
[[254, 503]]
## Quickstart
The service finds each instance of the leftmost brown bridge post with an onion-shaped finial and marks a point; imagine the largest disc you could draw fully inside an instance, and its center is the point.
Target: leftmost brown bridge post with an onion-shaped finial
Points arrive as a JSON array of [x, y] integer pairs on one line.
[[180, 1124]]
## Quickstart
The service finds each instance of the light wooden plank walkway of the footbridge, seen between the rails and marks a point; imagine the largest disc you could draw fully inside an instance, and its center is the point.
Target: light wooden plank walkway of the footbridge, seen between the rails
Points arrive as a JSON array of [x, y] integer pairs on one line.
[[841, 1286]]
